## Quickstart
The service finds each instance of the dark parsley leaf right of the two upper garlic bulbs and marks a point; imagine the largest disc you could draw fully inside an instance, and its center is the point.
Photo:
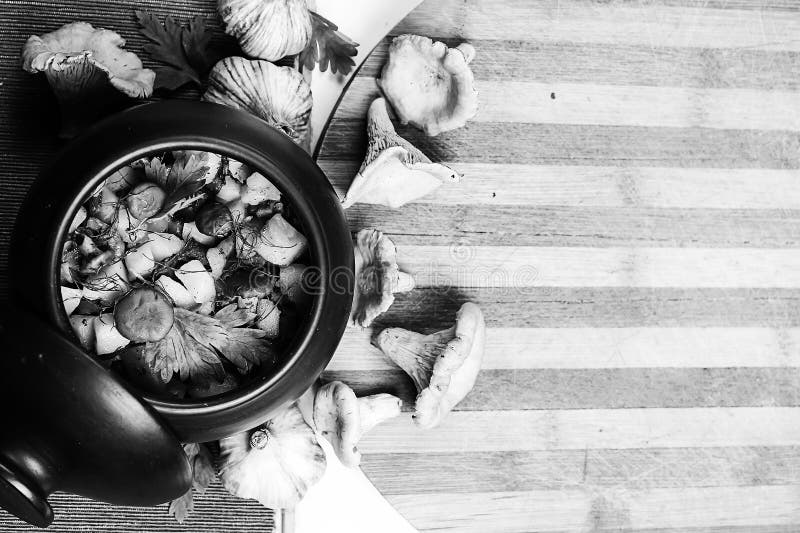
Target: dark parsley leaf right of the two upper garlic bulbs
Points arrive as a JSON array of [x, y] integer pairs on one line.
[[328, 47]]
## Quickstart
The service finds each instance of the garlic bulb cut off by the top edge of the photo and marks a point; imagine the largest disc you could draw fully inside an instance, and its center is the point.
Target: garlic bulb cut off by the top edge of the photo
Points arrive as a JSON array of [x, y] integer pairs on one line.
[[268, 29]]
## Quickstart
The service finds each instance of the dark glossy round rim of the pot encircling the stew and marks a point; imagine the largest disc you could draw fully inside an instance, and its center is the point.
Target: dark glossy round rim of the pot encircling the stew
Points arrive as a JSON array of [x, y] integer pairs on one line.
[[309, 196]]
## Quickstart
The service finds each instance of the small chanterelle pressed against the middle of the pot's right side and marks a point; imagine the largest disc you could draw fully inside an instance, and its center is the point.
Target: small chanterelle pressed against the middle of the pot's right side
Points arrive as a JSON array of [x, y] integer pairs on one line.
[[377, 277]]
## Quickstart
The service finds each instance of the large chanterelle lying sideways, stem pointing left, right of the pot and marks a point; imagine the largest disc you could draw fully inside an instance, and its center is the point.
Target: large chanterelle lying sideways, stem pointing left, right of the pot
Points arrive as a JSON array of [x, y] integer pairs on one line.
[[443, 365]]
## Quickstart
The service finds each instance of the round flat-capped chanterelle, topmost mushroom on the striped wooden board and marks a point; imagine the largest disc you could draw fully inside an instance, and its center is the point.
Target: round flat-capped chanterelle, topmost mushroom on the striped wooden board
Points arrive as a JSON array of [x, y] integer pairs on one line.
[[428, 84]]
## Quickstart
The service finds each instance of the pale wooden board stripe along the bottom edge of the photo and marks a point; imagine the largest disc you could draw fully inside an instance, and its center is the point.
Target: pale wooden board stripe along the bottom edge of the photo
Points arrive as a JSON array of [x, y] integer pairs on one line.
[[593, 510]]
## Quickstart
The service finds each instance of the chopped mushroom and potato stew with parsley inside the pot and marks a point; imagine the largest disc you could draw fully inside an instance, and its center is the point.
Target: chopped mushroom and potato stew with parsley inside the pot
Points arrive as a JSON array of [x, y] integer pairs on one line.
[[184, 273]]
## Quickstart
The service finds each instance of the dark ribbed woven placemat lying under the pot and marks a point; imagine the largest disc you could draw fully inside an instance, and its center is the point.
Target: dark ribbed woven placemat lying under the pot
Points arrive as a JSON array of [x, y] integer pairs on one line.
[[28, 125]]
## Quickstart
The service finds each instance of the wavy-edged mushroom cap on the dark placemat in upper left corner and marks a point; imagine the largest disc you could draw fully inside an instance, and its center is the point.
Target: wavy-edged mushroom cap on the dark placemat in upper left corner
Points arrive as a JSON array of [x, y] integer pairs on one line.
[[77, 56]]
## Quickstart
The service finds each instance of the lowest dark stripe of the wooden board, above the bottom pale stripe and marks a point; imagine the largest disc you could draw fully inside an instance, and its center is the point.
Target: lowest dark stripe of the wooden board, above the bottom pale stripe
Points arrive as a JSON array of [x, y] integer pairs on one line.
[[565, 469]]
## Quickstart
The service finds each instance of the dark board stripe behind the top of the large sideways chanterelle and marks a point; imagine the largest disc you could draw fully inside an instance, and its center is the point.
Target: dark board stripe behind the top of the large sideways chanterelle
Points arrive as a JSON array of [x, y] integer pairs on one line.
[[427, 310]]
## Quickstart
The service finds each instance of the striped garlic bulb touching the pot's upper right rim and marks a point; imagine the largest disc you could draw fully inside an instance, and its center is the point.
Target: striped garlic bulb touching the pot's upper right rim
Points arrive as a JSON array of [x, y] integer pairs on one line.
[[279, 95]]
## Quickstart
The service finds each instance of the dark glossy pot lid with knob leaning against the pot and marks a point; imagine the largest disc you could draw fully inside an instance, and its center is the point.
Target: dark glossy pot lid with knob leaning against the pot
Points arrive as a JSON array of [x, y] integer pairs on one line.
[[69, 424]]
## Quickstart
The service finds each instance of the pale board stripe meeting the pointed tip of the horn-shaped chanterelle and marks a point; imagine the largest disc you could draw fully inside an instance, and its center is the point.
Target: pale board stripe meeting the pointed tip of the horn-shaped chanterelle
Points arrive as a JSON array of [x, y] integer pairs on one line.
[[598, 186]]
